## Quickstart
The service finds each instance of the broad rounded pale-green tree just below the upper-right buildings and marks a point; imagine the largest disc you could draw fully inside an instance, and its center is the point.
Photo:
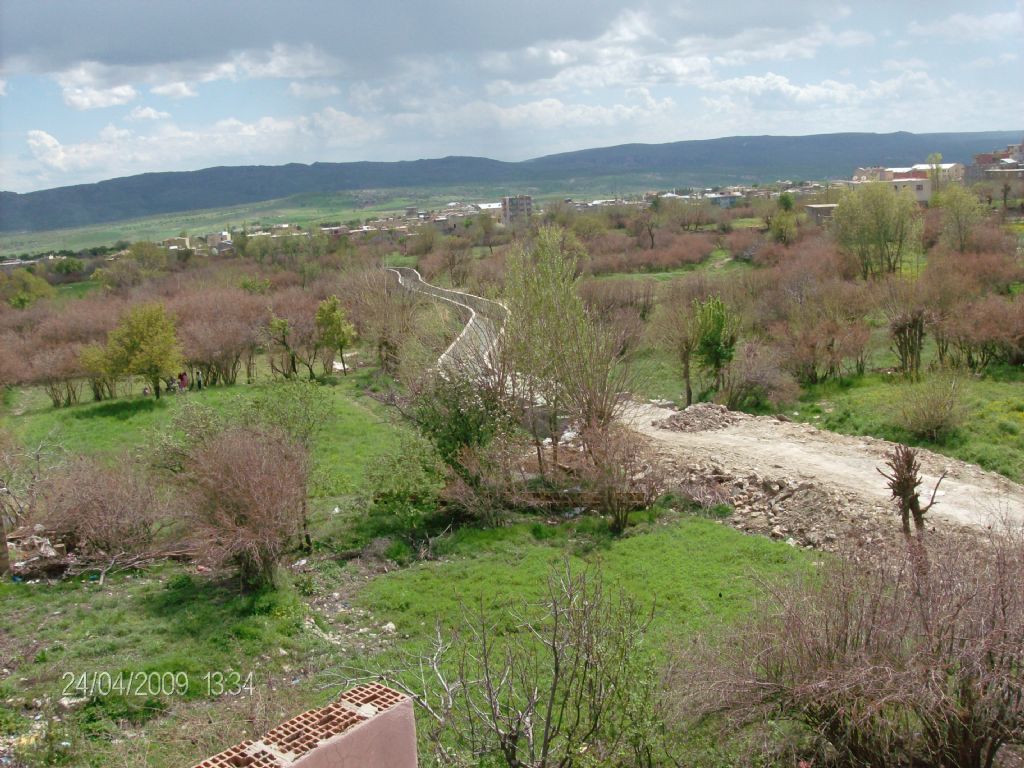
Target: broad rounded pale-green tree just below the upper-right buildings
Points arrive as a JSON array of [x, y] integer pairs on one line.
[[878, 227]]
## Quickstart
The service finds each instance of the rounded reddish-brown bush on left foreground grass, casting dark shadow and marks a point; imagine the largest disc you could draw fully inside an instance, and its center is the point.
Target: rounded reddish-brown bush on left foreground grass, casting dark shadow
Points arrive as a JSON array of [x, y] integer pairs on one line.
[[247, 492]]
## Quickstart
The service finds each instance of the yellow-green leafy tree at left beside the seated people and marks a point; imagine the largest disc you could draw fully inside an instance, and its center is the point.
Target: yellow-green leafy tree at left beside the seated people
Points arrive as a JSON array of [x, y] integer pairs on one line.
[[145, 345]]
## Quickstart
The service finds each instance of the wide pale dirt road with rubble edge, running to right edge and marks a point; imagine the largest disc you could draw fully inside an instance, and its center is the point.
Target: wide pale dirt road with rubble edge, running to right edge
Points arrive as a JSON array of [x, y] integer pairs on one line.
[[773, 465]]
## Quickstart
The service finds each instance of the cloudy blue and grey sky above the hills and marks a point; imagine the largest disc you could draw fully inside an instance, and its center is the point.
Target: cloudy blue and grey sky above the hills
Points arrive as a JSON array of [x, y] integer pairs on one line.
[[96, 90]]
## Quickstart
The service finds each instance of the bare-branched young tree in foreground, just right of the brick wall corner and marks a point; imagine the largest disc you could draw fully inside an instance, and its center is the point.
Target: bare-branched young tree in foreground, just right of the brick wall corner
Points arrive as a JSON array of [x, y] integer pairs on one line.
[[571, 686]]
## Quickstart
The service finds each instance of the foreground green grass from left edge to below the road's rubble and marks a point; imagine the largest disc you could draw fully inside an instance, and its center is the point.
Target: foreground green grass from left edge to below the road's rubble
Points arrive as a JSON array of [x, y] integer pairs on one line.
[[166, 620]]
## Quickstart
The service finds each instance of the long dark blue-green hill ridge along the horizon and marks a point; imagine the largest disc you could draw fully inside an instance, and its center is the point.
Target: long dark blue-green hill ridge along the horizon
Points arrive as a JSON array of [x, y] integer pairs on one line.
[[737, 159]]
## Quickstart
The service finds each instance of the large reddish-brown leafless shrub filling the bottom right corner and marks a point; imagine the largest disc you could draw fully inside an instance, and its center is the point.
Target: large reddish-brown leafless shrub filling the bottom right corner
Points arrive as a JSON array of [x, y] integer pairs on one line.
[[911, 659]]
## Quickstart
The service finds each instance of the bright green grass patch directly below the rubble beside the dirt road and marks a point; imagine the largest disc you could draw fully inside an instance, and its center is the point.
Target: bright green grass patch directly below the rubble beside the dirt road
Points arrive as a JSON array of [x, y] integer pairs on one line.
[[691, 571]]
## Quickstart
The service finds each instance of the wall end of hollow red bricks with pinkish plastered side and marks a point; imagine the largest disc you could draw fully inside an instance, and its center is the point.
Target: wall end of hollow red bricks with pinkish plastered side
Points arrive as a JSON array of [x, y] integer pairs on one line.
[[370, 727]]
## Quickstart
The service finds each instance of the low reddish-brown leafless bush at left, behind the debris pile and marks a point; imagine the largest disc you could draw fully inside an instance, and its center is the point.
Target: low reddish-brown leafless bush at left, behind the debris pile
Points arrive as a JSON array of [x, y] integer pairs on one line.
[[99, 511]]
